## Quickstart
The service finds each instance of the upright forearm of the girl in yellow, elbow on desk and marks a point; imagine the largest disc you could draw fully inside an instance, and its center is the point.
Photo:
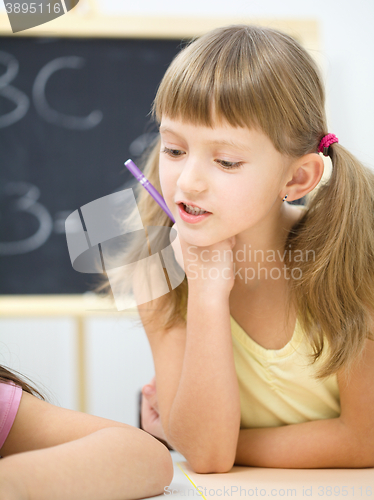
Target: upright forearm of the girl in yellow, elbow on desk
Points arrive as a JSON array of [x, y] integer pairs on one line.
[[204, 419]]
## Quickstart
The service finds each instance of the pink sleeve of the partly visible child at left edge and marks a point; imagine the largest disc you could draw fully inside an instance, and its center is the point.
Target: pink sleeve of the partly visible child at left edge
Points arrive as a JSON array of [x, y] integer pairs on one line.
[[10, 397]]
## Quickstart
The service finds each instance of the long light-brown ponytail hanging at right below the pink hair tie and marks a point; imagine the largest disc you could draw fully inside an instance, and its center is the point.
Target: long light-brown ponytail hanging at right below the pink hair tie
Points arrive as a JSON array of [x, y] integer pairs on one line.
[[335, 292]]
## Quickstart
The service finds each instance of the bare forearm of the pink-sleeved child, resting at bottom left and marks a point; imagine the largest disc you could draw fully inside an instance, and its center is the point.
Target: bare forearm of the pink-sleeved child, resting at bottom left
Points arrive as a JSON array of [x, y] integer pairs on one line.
[[113, 463]]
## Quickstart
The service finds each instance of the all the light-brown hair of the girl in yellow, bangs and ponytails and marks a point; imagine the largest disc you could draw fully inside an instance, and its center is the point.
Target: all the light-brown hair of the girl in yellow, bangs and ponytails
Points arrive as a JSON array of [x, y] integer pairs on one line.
[[257, 77]]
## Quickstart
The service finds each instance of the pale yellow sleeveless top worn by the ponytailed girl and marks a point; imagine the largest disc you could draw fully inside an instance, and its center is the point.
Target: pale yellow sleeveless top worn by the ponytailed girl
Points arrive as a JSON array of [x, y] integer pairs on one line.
[[277, 387]]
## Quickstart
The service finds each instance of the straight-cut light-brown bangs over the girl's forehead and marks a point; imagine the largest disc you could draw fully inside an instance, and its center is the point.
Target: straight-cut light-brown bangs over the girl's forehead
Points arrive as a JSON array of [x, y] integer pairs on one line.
[[205, 85]]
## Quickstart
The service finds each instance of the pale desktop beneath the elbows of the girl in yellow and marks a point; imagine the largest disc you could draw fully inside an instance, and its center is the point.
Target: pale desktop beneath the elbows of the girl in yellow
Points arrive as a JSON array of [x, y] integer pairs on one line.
[[256, 482]]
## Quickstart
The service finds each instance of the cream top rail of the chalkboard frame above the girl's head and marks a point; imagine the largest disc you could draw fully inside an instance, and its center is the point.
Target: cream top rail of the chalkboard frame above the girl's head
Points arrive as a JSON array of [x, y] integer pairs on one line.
[[95, 24]]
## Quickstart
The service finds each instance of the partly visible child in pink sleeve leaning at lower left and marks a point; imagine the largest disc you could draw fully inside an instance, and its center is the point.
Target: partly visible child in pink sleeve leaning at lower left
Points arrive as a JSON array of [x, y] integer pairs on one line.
[[53, 453]]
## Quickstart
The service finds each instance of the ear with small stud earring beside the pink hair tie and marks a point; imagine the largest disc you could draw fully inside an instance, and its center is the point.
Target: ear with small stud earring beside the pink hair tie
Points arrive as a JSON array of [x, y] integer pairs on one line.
[[305, 172]]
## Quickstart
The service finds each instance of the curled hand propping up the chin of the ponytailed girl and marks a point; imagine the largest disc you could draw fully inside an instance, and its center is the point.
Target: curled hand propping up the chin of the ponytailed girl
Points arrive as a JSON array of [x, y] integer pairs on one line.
[[210, 266]]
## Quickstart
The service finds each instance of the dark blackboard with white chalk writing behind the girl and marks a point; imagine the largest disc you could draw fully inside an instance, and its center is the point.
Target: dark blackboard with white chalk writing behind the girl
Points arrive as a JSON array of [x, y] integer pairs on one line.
[[71, 112]]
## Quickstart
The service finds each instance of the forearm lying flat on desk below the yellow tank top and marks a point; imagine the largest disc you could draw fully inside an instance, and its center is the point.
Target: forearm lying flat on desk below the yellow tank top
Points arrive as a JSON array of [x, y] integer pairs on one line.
[[318, 444]]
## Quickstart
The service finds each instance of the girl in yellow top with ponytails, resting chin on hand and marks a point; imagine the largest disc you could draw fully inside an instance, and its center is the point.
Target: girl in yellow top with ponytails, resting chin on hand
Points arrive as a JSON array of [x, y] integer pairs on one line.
[[264, 355]]
